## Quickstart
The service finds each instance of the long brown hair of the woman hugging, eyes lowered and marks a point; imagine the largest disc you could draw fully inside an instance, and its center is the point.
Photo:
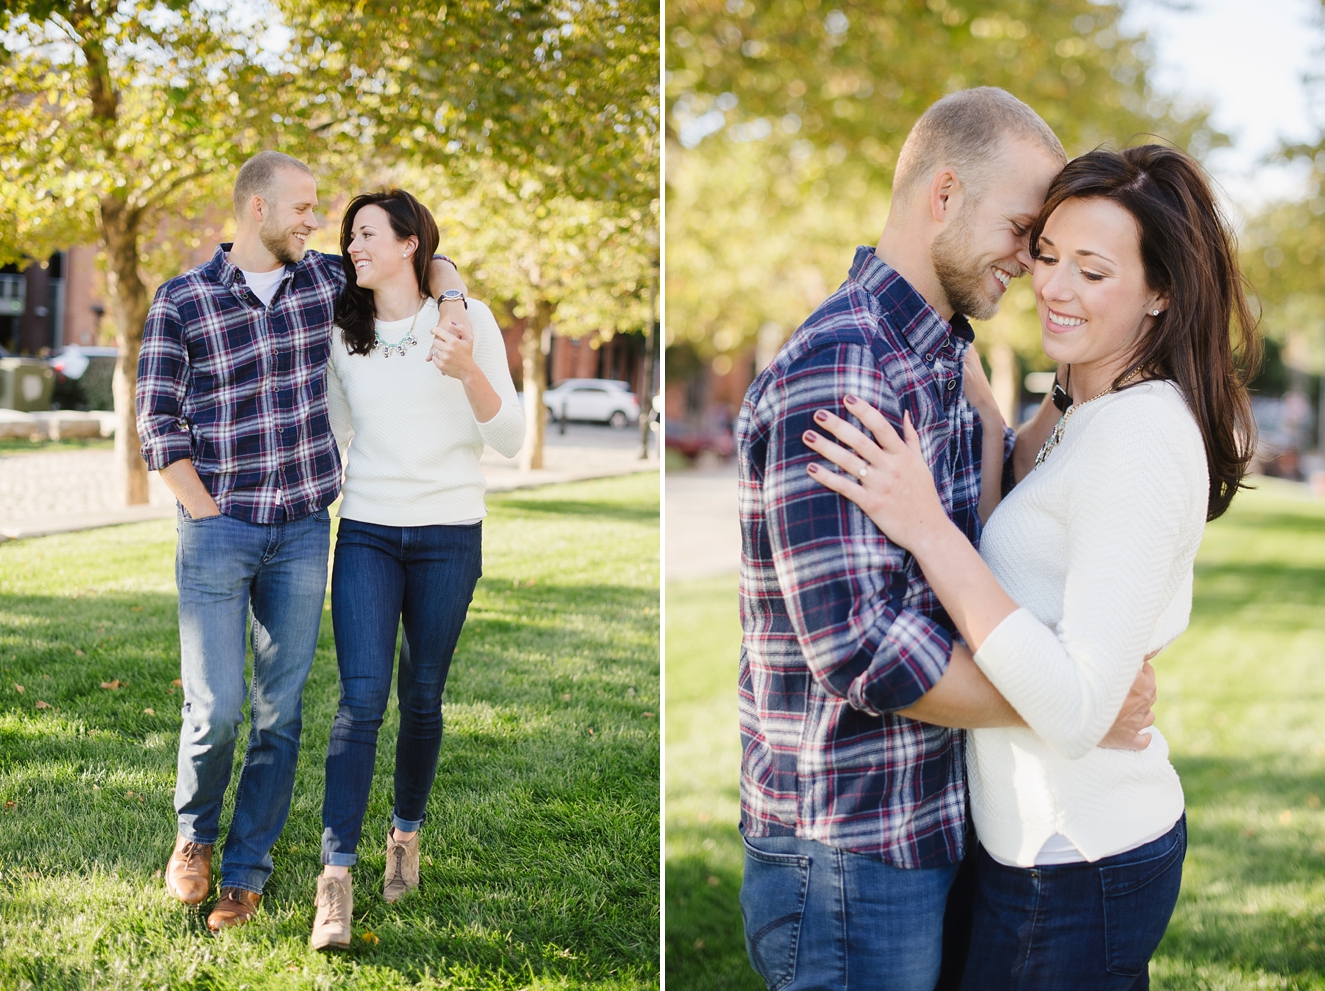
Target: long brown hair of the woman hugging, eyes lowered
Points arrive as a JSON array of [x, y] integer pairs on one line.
[[1208, 340]]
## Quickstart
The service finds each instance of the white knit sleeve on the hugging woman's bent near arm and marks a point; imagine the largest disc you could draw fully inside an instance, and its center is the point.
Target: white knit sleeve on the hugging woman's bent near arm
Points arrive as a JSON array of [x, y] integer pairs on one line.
[[1135, 507]]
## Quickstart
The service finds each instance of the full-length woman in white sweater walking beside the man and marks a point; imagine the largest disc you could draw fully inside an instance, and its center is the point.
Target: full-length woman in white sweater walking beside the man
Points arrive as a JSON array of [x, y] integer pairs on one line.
[[410, 543]]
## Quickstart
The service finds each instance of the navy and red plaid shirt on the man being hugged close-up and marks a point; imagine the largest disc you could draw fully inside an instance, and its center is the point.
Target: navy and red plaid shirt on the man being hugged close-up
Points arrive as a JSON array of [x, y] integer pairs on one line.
[[841, 627]]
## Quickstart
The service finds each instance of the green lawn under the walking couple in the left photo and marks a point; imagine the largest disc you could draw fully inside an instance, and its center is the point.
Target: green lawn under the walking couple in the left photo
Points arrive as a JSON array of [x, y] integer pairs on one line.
[[541, 851]]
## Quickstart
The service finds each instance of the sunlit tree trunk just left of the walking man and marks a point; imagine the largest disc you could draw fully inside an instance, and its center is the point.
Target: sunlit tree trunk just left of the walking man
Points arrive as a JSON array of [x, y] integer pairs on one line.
[[129, 313]]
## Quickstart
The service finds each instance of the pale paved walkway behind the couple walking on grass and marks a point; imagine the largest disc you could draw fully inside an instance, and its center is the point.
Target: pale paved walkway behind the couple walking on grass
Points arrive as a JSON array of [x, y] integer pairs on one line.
[[55, 494]]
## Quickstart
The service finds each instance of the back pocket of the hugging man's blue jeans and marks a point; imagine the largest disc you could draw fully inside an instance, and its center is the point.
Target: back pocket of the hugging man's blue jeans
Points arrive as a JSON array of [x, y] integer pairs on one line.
[[773, 904]]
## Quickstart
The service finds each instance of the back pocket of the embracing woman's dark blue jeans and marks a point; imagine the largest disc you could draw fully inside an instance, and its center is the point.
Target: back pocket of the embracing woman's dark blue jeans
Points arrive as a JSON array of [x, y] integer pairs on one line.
[[1139, 900]]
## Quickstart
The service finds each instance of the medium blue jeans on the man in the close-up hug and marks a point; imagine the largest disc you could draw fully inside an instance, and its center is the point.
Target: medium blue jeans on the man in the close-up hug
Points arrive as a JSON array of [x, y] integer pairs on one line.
[[821, 917]]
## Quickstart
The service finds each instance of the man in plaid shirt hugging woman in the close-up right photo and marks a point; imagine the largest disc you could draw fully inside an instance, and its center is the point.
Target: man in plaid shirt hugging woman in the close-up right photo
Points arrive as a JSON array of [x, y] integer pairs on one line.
[[853, 788]]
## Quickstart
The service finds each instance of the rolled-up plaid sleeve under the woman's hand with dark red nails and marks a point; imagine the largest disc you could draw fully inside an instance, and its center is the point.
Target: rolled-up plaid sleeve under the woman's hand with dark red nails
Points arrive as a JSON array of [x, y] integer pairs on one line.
[[846, 585]]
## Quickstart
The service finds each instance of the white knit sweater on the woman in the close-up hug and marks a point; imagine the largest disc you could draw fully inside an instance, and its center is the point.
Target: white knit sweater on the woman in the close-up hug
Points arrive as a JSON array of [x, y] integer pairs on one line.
[[1096, 547]]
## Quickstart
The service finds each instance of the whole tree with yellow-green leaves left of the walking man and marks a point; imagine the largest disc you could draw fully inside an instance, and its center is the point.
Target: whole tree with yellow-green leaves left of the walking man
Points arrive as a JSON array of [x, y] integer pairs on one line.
[[113, 117]]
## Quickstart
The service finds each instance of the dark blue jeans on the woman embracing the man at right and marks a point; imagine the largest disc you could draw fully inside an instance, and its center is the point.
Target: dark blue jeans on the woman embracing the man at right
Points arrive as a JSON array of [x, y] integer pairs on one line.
[[1075, 927]]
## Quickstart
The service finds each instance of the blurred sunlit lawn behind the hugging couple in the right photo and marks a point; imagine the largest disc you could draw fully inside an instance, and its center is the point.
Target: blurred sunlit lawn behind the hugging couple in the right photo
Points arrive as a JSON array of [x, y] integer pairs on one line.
[[1242, 700]]
